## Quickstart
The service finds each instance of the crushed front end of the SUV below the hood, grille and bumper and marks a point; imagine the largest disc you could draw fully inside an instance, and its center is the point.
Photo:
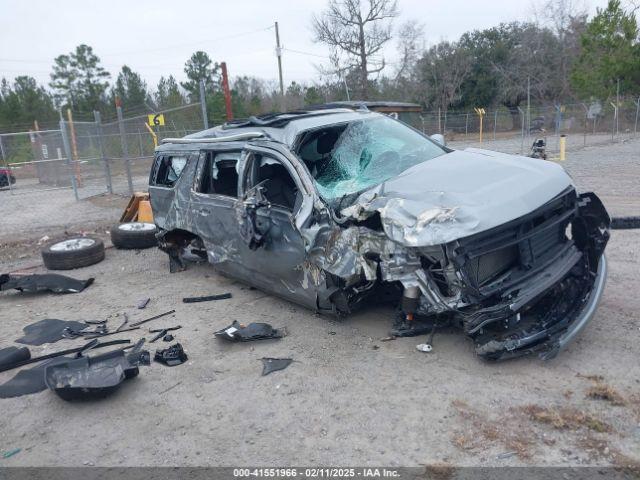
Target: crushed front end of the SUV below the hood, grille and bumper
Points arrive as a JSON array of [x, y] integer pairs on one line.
[[524, 287]]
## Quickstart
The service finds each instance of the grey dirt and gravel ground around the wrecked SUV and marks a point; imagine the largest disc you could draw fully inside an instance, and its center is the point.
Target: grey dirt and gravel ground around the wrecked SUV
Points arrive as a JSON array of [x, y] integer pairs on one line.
[[349, 398]]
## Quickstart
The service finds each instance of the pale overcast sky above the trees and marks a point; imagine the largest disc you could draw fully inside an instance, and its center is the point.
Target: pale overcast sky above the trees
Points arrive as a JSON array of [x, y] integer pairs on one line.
[[156, 37]]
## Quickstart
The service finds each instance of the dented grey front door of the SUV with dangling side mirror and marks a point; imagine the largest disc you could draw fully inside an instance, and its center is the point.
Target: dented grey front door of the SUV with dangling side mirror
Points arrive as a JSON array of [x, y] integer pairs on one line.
[[274, 194]]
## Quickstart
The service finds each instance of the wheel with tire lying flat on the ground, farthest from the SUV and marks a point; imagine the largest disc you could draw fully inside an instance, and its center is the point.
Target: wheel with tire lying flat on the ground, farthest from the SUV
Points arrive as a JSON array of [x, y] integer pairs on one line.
[[76, 252]]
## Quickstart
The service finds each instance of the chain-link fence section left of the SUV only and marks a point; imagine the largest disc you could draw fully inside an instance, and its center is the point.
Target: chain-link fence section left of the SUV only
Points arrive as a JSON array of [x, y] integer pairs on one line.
[[90, 158]]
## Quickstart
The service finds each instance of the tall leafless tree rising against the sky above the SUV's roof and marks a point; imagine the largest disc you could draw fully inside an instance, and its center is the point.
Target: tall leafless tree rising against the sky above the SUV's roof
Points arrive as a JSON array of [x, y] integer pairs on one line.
[[357, 30]]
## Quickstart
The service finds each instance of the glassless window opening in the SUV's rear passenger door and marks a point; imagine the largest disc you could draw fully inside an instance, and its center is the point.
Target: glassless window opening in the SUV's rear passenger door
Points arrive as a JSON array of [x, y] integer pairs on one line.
[[220, 174]]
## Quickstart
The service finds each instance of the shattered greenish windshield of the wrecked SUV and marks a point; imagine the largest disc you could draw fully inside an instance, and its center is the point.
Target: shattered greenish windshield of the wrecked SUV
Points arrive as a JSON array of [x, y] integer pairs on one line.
[[349, 158]]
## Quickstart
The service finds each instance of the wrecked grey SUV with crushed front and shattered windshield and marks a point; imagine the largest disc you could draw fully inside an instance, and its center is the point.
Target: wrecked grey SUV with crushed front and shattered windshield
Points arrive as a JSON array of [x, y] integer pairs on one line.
[[335, 209]]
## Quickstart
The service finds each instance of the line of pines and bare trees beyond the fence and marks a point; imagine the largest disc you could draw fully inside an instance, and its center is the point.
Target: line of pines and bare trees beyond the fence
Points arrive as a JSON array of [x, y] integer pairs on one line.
[[562, 55]]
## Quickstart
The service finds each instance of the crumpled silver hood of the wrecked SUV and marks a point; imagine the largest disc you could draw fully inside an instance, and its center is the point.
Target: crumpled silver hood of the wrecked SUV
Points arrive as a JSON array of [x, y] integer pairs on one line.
[[459, 194]]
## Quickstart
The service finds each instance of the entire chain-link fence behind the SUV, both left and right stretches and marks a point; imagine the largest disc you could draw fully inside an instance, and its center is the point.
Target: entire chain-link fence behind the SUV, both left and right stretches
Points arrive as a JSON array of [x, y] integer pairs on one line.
[[90, 158]]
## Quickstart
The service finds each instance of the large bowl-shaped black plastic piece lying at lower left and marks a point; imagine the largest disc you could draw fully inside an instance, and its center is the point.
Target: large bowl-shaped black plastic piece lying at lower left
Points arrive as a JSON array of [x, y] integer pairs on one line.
[[95, 377]]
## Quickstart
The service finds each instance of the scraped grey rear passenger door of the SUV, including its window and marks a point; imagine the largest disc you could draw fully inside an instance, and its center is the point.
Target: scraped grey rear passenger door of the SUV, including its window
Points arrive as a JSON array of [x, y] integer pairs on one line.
[[214, 196]]
